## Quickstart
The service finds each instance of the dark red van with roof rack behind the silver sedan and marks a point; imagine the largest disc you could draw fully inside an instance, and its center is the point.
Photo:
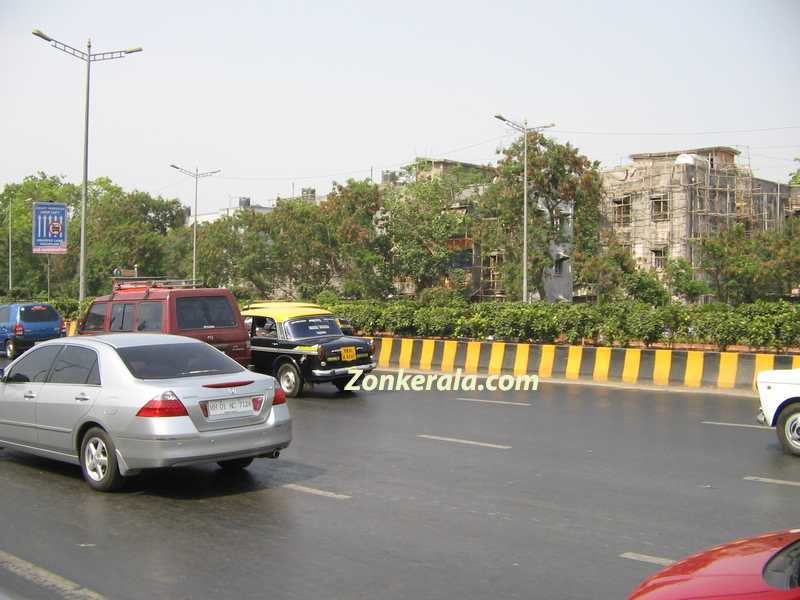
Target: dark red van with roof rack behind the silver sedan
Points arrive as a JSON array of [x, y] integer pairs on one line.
[[171, 306]]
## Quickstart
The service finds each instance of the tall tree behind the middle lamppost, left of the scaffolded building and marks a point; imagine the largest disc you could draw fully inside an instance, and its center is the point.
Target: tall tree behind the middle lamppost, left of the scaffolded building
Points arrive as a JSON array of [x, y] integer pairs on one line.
[[563, 184]]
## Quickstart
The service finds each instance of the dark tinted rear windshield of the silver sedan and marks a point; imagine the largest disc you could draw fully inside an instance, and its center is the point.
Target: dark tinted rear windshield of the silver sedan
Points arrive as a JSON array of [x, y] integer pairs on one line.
[[171, 361]]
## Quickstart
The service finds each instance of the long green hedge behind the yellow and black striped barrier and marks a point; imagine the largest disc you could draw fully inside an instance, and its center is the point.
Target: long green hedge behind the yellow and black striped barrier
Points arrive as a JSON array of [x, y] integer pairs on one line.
[[766, 325]]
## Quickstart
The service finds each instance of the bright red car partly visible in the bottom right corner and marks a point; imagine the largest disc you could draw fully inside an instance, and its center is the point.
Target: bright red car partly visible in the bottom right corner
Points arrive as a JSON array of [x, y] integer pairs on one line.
[[766, 567]]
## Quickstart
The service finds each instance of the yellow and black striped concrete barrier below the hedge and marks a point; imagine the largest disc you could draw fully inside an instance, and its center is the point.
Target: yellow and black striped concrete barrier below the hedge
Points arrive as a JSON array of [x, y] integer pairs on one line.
[[690, 368]]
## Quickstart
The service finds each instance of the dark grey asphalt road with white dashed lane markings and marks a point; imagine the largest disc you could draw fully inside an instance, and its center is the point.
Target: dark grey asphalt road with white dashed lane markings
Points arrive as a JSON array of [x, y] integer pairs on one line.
[[361, 506]]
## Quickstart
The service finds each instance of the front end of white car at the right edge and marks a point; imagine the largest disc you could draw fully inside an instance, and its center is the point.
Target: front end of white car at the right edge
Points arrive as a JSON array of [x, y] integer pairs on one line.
[[780, 405]]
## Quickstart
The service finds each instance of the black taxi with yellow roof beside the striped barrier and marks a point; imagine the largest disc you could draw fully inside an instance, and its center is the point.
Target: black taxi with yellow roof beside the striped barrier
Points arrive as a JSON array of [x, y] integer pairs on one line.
[[300, 343]]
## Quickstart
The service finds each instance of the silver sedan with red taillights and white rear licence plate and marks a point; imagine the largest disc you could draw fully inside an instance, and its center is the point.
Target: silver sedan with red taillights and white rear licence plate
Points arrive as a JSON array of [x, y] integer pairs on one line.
[[117, 404]]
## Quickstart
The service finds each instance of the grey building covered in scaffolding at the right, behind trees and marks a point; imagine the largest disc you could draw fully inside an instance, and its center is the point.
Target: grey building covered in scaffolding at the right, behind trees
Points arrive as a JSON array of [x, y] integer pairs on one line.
[[664, 201]]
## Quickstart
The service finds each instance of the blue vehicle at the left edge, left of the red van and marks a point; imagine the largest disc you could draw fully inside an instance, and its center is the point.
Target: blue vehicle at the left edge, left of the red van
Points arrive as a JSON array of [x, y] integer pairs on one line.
[[22, 325]]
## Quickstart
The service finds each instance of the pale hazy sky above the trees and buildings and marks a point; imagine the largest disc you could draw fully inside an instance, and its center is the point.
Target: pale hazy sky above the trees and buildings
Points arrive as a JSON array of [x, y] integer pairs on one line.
[[307, 92]]
